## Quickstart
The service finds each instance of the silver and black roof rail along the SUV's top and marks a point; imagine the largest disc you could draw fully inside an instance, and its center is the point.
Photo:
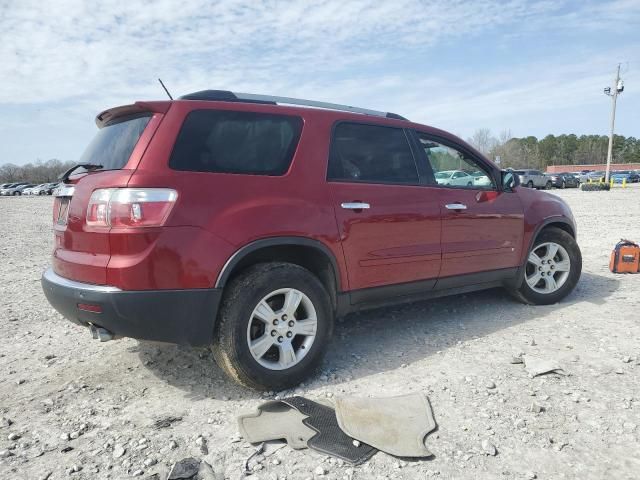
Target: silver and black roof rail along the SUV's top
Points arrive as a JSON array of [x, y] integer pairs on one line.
[[227, 96]]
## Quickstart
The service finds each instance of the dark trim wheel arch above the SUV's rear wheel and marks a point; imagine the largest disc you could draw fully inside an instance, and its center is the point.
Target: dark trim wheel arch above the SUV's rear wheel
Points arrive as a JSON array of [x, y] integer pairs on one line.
[[306, 252]]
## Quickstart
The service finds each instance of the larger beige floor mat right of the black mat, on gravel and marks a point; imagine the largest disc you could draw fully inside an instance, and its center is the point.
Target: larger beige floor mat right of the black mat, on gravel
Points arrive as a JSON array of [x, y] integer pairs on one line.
[[394, 425]]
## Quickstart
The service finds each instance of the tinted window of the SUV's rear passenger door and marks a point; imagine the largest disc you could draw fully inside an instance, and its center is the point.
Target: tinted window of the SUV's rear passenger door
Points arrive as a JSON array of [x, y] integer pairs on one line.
[[371, 154]]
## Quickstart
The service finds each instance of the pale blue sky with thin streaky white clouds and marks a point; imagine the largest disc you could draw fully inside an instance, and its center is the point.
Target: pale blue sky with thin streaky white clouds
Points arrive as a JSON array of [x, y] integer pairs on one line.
[[533, 68]]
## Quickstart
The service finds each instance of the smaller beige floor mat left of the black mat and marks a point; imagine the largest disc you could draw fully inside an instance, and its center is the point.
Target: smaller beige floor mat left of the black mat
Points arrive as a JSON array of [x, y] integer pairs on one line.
[[273, 421]]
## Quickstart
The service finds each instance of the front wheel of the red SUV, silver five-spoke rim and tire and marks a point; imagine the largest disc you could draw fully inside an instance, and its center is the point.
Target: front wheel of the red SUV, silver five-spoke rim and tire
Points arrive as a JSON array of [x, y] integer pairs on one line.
[[568, 250]]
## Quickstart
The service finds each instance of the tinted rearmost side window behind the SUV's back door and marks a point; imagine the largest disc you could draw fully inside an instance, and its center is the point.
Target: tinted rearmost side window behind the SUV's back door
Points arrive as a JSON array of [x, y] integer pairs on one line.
[[236, 142]]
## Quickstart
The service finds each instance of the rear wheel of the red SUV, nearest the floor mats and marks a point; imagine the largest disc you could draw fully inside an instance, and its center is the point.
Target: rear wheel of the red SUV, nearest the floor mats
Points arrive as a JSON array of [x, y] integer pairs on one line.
[[238, 324]]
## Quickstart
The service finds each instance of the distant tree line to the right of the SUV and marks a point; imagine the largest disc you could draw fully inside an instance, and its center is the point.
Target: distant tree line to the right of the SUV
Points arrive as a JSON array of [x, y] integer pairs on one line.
[[529, 152]]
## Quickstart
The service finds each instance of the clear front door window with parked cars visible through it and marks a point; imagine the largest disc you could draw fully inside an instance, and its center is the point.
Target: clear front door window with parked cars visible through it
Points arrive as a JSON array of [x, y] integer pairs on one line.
[[453, 168]]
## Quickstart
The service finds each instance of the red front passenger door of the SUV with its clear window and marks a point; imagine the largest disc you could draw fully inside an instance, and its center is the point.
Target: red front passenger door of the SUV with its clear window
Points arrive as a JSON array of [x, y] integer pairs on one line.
[[482, 227]]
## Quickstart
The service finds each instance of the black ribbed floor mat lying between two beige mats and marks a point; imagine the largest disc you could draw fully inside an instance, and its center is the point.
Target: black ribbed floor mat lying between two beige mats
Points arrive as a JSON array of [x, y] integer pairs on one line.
[[330, 439]]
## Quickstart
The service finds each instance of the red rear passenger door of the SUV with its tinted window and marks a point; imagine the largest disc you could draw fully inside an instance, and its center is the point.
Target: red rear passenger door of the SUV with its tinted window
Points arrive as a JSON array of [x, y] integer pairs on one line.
[[388, 223]]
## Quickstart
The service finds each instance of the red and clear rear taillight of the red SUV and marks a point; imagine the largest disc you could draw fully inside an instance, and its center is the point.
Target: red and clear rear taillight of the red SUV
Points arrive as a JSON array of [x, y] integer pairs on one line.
[[130, 207]]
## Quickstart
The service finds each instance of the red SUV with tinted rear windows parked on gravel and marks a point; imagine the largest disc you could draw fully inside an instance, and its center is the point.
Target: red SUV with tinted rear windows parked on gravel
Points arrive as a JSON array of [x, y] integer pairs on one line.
[[248, 223]]
